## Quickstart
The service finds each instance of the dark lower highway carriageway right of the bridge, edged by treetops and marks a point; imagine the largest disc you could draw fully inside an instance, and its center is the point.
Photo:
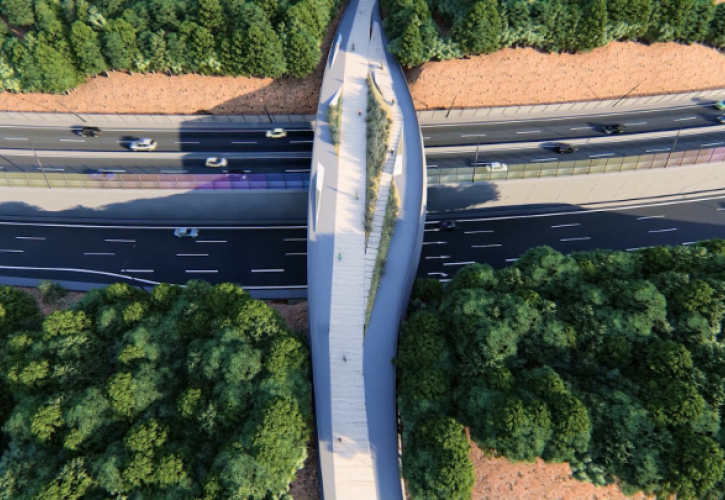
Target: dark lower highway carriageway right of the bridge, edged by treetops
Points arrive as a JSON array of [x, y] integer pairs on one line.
[[500, 241]]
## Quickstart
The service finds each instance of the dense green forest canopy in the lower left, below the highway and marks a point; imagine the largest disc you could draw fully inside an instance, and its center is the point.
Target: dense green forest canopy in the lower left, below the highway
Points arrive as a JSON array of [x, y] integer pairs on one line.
[[199, 393]]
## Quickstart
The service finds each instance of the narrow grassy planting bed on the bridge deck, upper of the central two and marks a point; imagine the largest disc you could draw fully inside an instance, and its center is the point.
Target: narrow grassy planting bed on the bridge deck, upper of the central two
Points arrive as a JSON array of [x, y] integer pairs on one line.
[[378, 124]]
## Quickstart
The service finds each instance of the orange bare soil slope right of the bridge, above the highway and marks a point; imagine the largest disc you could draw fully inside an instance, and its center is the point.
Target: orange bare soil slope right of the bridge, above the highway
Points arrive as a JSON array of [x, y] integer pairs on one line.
[[527, 76]]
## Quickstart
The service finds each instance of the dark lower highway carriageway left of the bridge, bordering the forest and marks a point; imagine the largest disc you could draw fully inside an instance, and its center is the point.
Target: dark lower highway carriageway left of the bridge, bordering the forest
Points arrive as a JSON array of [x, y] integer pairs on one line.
[[257, 257]]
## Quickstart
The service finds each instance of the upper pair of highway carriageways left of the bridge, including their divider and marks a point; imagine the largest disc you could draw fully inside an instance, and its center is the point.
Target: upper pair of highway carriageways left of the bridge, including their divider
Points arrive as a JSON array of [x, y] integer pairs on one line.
[[247, 149]]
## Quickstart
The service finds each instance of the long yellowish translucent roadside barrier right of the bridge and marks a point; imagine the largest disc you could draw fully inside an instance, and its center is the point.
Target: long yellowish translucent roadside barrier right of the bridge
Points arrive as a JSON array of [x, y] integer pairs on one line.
[[469, 175]]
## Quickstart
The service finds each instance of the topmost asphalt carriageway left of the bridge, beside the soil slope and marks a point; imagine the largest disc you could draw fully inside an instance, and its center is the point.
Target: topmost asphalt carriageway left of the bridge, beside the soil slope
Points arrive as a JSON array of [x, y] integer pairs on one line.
[[199, 139]]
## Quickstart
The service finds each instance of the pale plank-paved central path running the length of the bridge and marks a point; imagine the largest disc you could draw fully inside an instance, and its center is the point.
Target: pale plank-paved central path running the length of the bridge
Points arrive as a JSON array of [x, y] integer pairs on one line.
[[354, 477]]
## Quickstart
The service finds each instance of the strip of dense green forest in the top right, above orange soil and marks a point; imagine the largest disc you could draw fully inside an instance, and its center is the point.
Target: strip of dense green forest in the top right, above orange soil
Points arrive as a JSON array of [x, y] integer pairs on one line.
[[469, 27]]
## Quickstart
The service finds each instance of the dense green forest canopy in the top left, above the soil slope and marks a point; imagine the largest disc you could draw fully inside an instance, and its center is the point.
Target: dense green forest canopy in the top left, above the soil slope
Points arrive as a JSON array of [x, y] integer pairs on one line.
[[51, 45]]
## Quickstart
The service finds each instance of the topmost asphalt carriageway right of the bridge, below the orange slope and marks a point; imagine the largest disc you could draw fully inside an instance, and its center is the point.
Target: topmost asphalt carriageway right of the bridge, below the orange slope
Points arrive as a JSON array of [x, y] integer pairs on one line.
[[510, 129]]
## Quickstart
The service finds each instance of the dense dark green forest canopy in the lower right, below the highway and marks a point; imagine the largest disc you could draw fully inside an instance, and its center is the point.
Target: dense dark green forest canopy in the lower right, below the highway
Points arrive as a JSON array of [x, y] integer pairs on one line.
[[611, 361]]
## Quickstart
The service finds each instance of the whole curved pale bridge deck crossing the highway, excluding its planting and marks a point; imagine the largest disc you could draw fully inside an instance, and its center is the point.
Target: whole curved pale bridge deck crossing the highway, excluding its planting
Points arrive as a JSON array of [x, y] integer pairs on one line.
[[353, 374]]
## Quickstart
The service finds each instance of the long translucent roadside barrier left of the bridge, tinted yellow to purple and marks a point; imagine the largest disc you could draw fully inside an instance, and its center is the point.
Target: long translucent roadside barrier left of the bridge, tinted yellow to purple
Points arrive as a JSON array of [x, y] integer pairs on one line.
[[217, 182]]
